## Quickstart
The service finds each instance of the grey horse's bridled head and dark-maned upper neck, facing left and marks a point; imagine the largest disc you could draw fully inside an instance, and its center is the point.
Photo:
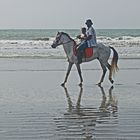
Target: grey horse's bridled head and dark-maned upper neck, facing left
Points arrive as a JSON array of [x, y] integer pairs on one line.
[[61, 38]]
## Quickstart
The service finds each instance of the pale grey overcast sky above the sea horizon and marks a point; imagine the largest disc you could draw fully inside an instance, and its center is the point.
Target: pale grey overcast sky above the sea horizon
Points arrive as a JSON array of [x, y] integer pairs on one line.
[[68, 14]]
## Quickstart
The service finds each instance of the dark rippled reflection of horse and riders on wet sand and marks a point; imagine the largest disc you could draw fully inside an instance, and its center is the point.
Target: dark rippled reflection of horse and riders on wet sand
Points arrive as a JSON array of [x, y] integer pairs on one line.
[[88, 123]]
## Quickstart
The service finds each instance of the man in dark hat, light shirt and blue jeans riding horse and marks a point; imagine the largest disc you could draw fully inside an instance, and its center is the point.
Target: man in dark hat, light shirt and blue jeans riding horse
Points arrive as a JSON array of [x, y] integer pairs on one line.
[[89, 41]]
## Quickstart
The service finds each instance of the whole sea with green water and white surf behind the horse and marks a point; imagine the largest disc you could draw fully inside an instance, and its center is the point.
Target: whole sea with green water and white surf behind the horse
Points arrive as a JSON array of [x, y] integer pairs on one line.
[[36, 43]]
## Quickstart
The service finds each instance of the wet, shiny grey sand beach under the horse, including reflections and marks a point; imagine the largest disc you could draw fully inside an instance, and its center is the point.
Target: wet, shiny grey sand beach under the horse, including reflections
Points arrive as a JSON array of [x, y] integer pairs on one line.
[[33, 105]]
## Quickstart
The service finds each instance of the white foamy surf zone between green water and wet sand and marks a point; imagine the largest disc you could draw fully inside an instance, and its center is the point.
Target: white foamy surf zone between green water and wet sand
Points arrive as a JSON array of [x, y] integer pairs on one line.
[[127, 47]]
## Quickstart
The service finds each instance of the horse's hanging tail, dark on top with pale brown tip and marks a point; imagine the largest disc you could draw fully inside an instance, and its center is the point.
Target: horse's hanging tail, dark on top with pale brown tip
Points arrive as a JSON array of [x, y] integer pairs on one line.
[[114, 67]]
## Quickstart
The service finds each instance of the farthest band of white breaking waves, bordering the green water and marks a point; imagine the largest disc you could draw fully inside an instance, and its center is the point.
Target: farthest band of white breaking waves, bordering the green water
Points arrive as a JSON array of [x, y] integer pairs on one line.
[[126, 40]]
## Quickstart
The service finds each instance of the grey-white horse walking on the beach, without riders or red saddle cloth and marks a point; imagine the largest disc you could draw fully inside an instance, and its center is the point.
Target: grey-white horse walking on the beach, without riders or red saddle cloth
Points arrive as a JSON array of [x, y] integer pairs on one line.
[[101, 52]]
